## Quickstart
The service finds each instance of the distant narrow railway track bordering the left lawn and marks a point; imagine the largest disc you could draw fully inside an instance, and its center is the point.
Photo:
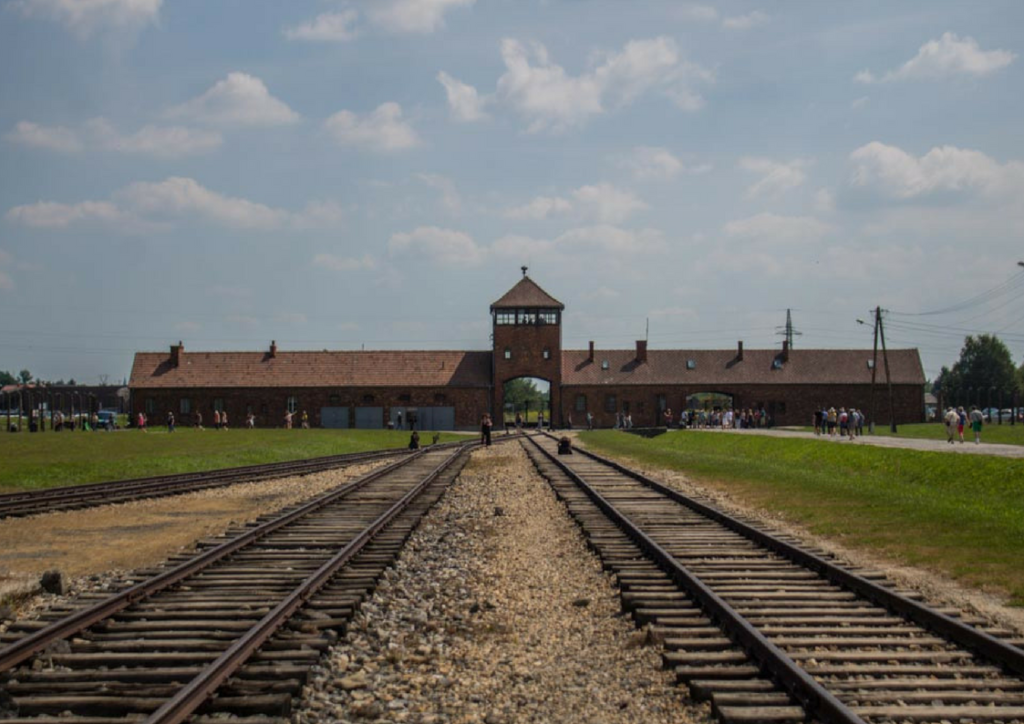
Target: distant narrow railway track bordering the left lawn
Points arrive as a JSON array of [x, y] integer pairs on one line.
[[72, 497]]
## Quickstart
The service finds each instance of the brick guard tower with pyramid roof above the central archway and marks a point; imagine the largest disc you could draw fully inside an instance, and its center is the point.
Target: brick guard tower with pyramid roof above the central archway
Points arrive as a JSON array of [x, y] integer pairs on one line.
[[528, 339]]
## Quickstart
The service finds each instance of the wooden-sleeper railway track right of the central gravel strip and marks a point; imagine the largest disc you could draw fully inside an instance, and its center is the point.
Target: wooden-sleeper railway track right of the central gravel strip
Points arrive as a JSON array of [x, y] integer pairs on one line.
[[771, 631]]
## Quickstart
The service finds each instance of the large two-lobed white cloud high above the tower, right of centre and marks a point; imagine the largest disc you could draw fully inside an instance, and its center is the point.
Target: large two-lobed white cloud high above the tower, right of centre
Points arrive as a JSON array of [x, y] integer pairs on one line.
[[551, 100]]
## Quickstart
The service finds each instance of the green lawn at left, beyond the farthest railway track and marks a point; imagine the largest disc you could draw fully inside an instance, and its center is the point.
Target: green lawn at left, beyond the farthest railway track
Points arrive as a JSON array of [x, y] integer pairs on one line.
[[50, 459]]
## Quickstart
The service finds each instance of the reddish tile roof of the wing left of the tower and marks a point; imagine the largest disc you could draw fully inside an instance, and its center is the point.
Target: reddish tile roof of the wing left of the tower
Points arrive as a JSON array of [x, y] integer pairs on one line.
[[338, 369]]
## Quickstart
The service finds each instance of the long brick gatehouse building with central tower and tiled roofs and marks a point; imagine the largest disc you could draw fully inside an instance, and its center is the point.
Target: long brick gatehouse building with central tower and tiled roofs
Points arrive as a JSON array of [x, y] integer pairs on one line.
[[453, 390]]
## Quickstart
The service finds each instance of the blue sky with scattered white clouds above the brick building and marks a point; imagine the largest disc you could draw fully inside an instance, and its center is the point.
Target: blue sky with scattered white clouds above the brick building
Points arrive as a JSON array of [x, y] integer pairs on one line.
[[339, 175]]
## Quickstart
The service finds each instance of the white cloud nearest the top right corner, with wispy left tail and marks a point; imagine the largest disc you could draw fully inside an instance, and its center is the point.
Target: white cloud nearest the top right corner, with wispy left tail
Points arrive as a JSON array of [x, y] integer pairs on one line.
[[947, 58]]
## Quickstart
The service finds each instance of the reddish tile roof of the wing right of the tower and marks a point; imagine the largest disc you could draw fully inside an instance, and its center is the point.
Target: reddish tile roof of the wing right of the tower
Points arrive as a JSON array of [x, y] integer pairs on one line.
[[720, 367]]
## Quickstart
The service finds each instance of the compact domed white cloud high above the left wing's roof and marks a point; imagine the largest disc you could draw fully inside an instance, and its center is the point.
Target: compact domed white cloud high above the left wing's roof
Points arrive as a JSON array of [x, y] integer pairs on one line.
[[239, 100]]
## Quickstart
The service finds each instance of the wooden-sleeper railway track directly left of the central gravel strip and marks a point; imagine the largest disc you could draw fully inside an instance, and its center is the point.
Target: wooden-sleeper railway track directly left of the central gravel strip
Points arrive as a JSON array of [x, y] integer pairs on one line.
[[232, 630]]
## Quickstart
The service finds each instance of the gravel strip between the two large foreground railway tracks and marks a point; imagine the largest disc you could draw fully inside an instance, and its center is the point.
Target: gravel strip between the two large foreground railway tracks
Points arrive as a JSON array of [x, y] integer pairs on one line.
[[496, 613]]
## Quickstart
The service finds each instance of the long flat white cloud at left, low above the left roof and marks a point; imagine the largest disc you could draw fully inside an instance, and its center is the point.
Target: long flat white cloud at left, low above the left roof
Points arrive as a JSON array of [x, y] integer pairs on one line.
[[146, 206]]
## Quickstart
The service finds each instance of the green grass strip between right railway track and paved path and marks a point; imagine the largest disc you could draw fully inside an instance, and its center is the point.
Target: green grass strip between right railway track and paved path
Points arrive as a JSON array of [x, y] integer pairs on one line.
[[962, 516]]
